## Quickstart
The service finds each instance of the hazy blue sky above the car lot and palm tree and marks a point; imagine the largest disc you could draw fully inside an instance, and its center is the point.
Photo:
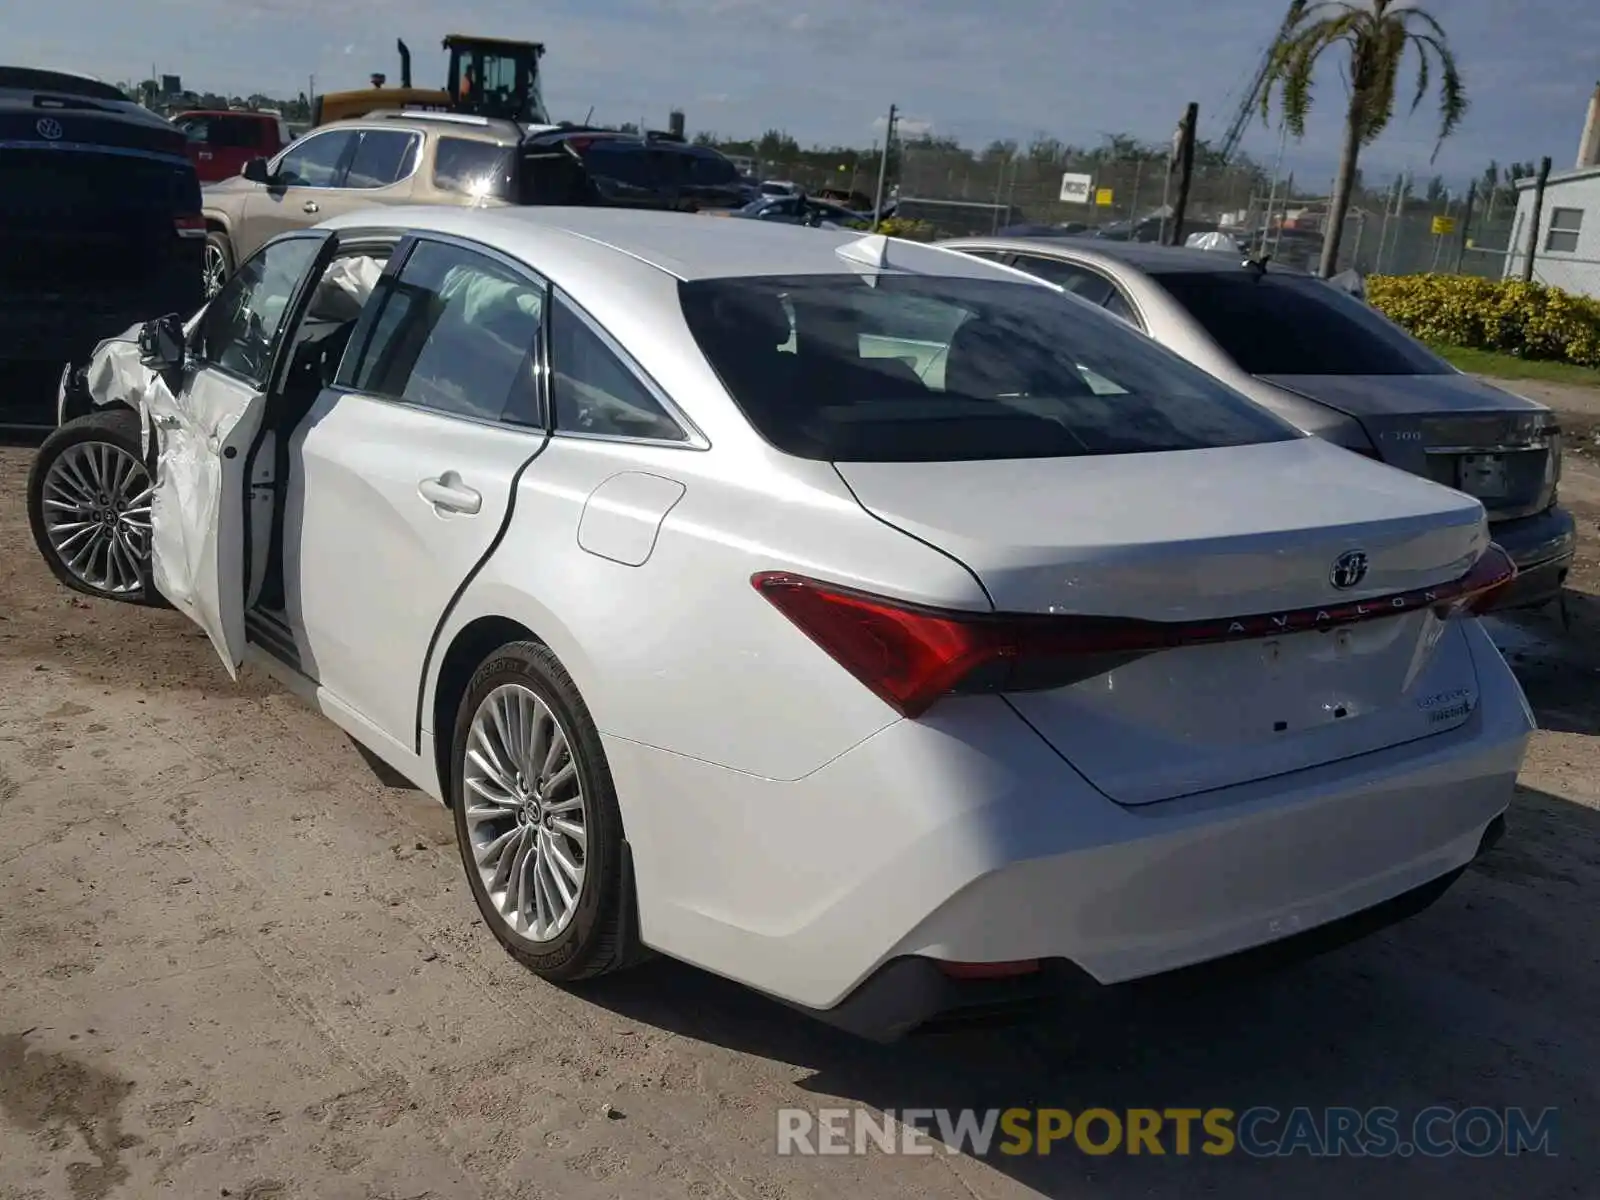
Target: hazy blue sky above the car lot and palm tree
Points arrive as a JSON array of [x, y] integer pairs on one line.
[[826, 70]]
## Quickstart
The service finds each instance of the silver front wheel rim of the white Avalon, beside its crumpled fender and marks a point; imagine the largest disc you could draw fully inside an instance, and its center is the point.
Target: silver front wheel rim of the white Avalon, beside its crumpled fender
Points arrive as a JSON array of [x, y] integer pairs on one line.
[[97, 514]]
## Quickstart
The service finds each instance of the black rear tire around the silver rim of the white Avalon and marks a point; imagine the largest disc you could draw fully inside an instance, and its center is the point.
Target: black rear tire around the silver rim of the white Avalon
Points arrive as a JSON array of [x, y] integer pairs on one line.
[[602, 934]]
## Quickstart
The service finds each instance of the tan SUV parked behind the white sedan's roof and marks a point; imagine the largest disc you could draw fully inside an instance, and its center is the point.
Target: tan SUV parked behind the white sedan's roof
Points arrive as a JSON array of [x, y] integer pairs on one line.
[[386, 159]]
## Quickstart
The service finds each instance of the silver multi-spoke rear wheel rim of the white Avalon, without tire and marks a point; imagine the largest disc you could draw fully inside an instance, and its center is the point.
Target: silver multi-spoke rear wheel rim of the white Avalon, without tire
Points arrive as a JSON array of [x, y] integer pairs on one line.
[[526, 814]]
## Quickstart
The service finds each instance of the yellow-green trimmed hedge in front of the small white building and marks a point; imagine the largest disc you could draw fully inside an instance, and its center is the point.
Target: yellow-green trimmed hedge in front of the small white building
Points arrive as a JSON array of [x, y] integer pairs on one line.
[[1529, 321]]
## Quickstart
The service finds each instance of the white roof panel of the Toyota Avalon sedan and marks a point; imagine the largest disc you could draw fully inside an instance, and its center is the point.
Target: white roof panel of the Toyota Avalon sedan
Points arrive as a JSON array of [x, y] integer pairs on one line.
[[684, 246]]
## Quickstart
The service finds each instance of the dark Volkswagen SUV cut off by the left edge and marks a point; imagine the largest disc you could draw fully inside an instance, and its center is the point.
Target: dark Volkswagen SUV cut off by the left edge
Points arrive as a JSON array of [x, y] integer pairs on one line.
[[100, 223]]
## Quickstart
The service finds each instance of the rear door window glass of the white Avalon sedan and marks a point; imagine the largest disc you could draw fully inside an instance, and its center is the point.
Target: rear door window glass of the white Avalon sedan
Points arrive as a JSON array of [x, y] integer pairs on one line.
[[457, 334]]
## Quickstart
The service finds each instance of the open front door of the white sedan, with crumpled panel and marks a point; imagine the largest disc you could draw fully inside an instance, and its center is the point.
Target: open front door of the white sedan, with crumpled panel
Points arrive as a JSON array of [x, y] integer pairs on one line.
[[209, 425]]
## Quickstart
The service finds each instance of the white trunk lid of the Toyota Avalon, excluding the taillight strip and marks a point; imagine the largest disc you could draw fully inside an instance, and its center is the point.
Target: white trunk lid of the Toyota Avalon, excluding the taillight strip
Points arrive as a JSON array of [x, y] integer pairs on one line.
[[1198, 537]]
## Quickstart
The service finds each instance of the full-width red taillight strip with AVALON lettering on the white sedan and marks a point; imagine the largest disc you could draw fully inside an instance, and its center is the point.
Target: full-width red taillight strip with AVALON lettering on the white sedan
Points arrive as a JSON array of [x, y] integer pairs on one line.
[[911, 657]]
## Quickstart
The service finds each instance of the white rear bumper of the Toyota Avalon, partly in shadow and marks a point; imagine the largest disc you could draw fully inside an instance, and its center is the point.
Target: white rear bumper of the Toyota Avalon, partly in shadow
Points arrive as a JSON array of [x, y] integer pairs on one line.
[[964, 839]]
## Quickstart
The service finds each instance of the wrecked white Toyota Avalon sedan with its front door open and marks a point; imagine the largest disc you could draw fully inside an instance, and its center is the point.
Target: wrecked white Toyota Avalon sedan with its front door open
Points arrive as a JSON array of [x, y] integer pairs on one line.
[[850, 618]]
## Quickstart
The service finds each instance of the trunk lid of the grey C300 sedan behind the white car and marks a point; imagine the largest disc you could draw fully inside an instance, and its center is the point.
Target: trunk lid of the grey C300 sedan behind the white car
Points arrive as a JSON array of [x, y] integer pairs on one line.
[[1454, 430]]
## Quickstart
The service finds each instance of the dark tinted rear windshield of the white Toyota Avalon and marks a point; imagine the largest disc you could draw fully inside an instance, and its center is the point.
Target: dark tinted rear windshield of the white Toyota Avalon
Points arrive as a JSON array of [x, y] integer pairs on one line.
[[929, 370]]
